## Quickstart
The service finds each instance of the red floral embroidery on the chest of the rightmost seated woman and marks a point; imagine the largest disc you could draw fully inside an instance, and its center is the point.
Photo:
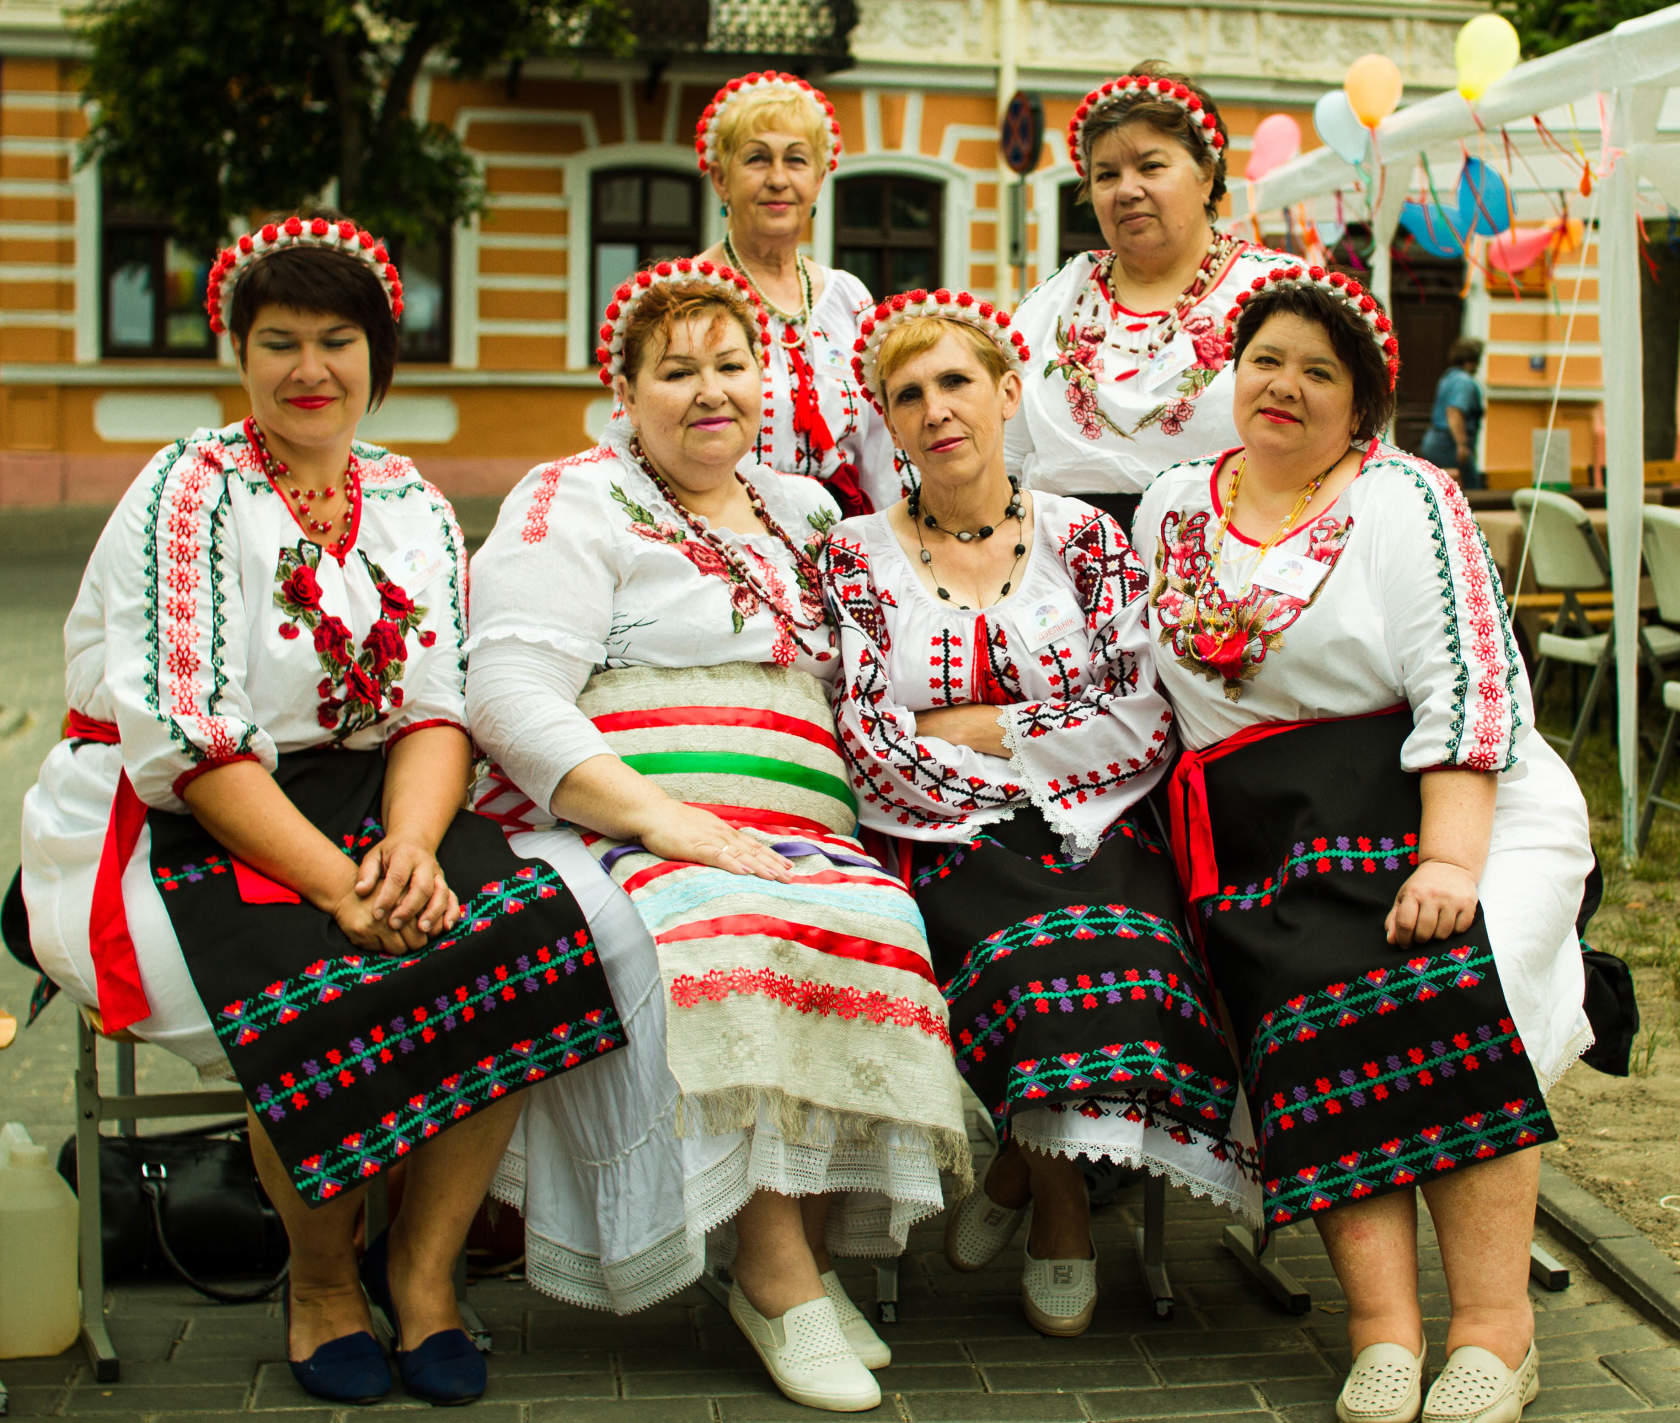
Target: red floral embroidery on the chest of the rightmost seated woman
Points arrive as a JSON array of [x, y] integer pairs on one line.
[[1210, 633]]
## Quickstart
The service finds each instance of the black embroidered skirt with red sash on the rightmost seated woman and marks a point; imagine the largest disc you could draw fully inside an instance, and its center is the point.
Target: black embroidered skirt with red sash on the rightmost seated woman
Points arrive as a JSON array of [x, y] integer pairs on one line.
[[1368, 1068]]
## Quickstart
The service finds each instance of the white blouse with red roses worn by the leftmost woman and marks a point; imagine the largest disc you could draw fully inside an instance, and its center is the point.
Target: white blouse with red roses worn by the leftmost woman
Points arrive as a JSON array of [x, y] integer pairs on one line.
[[211, 629]]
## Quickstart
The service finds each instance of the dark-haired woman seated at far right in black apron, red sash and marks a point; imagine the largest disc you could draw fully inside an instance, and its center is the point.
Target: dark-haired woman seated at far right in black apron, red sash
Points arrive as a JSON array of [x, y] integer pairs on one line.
[[1383, 858]]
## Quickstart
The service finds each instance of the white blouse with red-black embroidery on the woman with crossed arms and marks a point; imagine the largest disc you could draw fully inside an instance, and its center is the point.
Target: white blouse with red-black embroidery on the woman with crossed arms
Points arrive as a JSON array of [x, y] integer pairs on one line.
[[1064, 658]]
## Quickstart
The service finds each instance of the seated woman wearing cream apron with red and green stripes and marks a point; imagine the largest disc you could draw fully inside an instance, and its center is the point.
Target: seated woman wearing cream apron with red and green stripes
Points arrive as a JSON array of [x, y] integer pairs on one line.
[[651, 664]]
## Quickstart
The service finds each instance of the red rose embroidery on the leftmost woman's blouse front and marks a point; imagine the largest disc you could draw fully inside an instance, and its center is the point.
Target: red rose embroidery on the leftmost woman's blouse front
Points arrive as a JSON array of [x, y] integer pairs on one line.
[[362, 681]]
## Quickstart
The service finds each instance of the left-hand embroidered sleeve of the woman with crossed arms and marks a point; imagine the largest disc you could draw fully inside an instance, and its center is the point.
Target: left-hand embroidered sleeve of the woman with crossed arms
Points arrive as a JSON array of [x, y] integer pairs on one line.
[[916, 787]]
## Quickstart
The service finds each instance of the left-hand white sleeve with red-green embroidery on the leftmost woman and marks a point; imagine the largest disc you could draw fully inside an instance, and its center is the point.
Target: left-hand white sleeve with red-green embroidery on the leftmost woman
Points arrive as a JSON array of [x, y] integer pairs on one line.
[[176, 626]]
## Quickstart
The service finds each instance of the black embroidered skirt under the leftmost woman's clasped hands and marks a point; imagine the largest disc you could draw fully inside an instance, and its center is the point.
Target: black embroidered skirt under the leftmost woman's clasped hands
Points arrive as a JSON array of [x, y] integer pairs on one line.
[[355, 1059]]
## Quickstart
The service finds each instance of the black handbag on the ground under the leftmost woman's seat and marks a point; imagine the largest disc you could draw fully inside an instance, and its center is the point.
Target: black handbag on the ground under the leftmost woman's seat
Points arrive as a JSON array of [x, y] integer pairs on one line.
[[187, 1204]]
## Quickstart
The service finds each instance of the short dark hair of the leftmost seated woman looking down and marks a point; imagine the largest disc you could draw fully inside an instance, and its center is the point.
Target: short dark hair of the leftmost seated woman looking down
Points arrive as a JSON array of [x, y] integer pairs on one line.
[[320, 280]]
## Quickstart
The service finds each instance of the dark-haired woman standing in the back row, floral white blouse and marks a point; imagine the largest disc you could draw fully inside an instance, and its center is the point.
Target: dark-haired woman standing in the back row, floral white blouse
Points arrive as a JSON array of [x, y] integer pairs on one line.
[[1131, 370]]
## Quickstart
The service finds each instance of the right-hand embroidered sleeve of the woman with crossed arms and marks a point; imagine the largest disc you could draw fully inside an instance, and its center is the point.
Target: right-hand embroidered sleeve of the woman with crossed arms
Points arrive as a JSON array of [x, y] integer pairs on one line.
[[1091, 757]]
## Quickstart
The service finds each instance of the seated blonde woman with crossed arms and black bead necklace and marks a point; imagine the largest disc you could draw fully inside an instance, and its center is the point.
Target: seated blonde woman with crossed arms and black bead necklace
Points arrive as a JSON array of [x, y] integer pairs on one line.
[[1000, 715]]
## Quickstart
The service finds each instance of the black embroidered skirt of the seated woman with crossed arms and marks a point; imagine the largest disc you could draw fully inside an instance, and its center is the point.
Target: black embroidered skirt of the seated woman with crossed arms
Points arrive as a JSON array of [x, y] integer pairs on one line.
[[1074, 985]]
